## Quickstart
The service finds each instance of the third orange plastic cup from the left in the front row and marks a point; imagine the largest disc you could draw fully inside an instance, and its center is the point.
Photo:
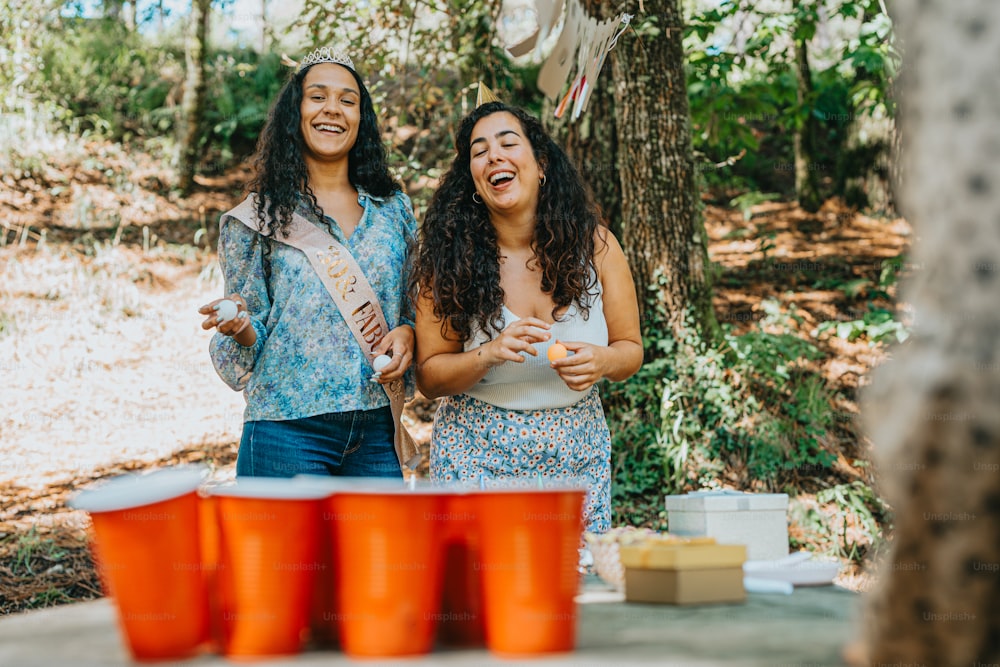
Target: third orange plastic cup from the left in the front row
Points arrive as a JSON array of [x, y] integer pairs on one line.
[[388, 569]]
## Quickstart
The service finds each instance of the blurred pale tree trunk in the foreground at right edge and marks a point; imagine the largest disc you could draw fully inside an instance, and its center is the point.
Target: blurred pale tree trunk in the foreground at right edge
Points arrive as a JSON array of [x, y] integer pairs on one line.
[[931, 410]]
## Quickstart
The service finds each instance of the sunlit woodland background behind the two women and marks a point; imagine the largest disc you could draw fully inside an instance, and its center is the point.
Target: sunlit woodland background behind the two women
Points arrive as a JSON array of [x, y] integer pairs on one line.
[[748, 148]]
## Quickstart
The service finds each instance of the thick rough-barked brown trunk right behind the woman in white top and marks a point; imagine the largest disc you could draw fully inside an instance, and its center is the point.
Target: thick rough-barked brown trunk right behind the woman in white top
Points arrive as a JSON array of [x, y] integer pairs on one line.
[[663, 233]]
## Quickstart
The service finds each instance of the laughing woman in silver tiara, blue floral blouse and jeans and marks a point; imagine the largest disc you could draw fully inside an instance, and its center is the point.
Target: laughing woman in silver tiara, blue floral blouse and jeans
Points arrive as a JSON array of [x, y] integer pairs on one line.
[[311, 407]]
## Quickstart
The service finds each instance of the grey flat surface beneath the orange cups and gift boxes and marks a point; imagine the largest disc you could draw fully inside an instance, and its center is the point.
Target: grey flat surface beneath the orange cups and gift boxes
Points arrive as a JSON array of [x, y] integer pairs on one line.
[[806, 629]]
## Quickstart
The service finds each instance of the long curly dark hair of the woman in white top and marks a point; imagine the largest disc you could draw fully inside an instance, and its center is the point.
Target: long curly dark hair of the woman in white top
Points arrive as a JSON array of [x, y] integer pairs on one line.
[[458, 265]]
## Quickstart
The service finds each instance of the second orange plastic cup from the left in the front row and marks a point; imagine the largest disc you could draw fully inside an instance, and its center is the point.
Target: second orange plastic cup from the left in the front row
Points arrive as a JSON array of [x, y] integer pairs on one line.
[[269, 560]]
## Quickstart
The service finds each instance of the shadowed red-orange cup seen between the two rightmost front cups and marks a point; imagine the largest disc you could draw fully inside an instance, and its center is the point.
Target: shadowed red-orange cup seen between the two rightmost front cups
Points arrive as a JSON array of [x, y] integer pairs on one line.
[[462, 620]]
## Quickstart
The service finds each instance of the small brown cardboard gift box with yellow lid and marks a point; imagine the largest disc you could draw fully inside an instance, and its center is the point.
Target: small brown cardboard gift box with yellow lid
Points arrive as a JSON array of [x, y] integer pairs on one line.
[[678, 571]]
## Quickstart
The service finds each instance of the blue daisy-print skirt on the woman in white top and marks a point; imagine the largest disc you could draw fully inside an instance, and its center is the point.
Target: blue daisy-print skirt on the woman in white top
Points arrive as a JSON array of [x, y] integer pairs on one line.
[[475, 443]]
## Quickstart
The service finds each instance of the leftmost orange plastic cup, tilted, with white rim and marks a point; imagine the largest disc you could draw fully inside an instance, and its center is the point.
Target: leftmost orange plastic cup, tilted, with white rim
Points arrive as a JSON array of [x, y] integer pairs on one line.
[[145, 537]]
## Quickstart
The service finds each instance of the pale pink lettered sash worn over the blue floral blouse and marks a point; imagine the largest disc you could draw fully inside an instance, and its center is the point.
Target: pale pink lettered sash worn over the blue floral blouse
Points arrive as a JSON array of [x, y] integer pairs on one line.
[[355, 298]]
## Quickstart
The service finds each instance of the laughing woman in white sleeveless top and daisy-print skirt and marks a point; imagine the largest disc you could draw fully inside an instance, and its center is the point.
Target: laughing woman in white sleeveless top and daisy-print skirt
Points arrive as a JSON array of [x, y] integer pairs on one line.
[[514, 270]]
